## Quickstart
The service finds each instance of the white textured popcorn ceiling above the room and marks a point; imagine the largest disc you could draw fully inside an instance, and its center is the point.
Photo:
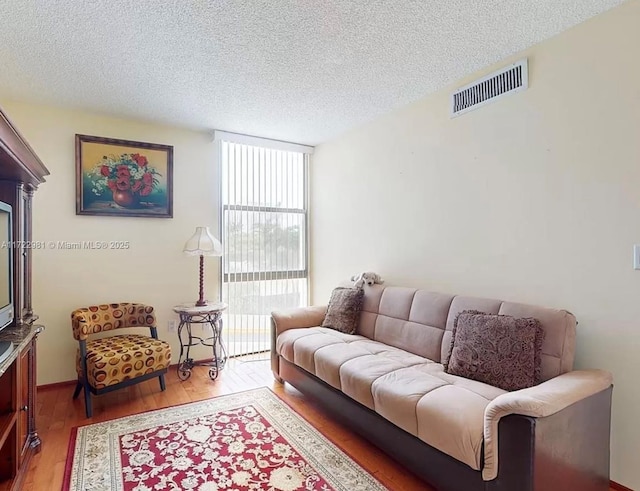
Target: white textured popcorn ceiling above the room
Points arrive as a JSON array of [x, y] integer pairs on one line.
[[296, 70]]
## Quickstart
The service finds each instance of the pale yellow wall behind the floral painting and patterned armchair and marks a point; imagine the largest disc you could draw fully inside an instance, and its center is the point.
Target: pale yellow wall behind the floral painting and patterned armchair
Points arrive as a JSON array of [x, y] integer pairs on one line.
[[154, 270]]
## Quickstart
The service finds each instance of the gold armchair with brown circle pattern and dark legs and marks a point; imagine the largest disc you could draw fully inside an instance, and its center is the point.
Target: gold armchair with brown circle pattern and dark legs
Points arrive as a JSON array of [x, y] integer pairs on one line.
[[115, 362]]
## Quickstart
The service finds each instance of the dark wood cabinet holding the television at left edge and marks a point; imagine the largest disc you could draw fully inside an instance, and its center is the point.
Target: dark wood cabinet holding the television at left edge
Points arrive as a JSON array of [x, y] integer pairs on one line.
[[21, 172]]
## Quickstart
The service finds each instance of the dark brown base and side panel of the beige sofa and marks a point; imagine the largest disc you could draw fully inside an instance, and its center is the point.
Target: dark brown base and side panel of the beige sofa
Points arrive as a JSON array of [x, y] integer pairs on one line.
[[568, 451]]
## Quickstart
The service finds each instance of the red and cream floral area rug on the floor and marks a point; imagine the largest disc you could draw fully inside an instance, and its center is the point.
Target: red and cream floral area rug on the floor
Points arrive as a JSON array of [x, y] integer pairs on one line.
[[240, 442]]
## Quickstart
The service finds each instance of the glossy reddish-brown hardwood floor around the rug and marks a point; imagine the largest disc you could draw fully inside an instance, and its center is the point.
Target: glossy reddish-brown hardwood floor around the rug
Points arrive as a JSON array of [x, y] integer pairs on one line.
[[58, 413]]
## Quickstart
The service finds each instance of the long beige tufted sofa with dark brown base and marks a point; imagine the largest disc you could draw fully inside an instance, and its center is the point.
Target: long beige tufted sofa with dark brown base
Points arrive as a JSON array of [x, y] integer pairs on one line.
[[388, 383]]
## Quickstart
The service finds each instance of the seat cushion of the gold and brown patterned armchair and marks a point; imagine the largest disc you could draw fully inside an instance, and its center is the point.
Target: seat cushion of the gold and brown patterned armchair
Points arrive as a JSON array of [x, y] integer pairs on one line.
[[115, 359]]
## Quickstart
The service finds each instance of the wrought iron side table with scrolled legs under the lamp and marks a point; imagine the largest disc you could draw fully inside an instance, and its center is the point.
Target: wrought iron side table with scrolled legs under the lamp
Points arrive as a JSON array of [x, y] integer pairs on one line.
[[208, 314]]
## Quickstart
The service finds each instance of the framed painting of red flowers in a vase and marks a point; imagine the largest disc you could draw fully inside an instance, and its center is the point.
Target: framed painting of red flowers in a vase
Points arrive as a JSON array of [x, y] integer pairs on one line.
[[123, 178]]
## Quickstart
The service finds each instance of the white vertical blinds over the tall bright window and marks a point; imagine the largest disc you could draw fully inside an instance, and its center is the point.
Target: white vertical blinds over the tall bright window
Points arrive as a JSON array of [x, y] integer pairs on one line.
[[264, 237]]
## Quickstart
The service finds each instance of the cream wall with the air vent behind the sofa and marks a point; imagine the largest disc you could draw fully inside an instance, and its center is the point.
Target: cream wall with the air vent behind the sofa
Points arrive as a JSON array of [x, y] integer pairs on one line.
[[535, 198]]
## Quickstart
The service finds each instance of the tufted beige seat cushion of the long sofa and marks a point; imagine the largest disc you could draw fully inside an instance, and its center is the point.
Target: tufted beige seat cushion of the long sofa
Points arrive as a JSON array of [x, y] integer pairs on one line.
[[415, 393]]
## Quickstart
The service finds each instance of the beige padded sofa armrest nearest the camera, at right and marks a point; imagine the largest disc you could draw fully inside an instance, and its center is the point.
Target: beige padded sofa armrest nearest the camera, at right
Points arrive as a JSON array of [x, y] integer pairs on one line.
[[540, 401]]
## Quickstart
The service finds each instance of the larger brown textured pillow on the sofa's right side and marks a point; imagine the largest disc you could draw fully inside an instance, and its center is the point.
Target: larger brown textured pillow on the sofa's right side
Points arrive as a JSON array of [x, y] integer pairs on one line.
[[499, 350]]
